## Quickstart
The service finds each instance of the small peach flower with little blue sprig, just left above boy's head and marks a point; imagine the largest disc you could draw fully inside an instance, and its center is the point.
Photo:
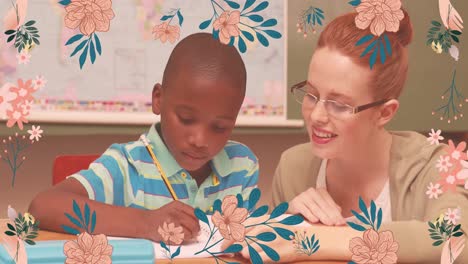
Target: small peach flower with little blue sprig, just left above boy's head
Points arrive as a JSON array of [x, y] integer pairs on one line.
[[165, 31]]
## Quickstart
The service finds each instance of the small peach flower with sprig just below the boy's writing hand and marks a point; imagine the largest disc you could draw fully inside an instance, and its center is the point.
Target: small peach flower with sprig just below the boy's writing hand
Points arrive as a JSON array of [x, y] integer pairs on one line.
[[171, 235]]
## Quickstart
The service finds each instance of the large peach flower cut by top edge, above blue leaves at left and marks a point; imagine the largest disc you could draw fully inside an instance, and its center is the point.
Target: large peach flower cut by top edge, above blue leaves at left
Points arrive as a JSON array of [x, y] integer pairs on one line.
[[89, 15]]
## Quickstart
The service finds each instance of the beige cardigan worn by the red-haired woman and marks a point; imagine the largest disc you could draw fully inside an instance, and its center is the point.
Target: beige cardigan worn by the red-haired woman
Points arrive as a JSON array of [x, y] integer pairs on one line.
[[412, 168]]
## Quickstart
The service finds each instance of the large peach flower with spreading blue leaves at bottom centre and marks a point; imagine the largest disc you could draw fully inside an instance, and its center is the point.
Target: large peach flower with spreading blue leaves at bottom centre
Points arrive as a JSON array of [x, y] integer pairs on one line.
[[229, 219]]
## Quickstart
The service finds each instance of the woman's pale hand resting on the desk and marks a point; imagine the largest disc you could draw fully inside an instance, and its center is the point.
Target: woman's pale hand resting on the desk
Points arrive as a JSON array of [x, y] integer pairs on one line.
[[316, 205]]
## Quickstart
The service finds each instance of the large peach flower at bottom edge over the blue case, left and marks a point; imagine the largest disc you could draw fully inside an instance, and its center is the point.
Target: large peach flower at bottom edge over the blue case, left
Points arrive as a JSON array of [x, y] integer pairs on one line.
[[90, 249]]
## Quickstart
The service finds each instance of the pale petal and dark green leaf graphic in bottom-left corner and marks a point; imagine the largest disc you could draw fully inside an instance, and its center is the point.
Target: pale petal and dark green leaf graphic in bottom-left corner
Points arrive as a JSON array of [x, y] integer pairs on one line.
[[24, 229]]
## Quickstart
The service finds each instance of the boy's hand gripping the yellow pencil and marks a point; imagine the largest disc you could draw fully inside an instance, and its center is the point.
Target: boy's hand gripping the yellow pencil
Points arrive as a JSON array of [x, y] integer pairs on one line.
[[175, 212]]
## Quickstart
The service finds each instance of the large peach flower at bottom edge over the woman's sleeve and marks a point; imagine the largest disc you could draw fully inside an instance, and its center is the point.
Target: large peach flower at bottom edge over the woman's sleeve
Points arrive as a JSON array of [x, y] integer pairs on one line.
[[376, 248]]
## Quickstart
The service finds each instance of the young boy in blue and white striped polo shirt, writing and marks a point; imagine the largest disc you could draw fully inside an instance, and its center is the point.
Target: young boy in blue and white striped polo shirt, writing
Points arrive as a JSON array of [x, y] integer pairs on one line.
[[199, 99]]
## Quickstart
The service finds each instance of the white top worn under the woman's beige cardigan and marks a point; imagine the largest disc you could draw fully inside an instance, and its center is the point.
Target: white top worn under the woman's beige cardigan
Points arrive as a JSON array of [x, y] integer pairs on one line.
[[382, 201]]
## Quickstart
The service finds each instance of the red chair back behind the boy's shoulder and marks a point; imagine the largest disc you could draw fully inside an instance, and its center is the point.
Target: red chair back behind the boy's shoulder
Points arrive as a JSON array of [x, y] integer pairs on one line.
[[66, 165]]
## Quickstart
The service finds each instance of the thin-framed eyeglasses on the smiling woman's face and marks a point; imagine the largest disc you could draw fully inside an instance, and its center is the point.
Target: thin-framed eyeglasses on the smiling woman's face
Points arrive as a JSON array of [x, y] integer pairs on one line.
[[334, 108]]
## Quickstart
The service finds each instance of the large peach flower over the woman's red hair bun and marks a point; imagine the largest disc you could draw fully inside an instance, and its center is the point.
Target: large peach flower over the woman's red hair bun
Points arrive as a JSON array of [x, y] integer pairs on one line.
[[380, 15]]
